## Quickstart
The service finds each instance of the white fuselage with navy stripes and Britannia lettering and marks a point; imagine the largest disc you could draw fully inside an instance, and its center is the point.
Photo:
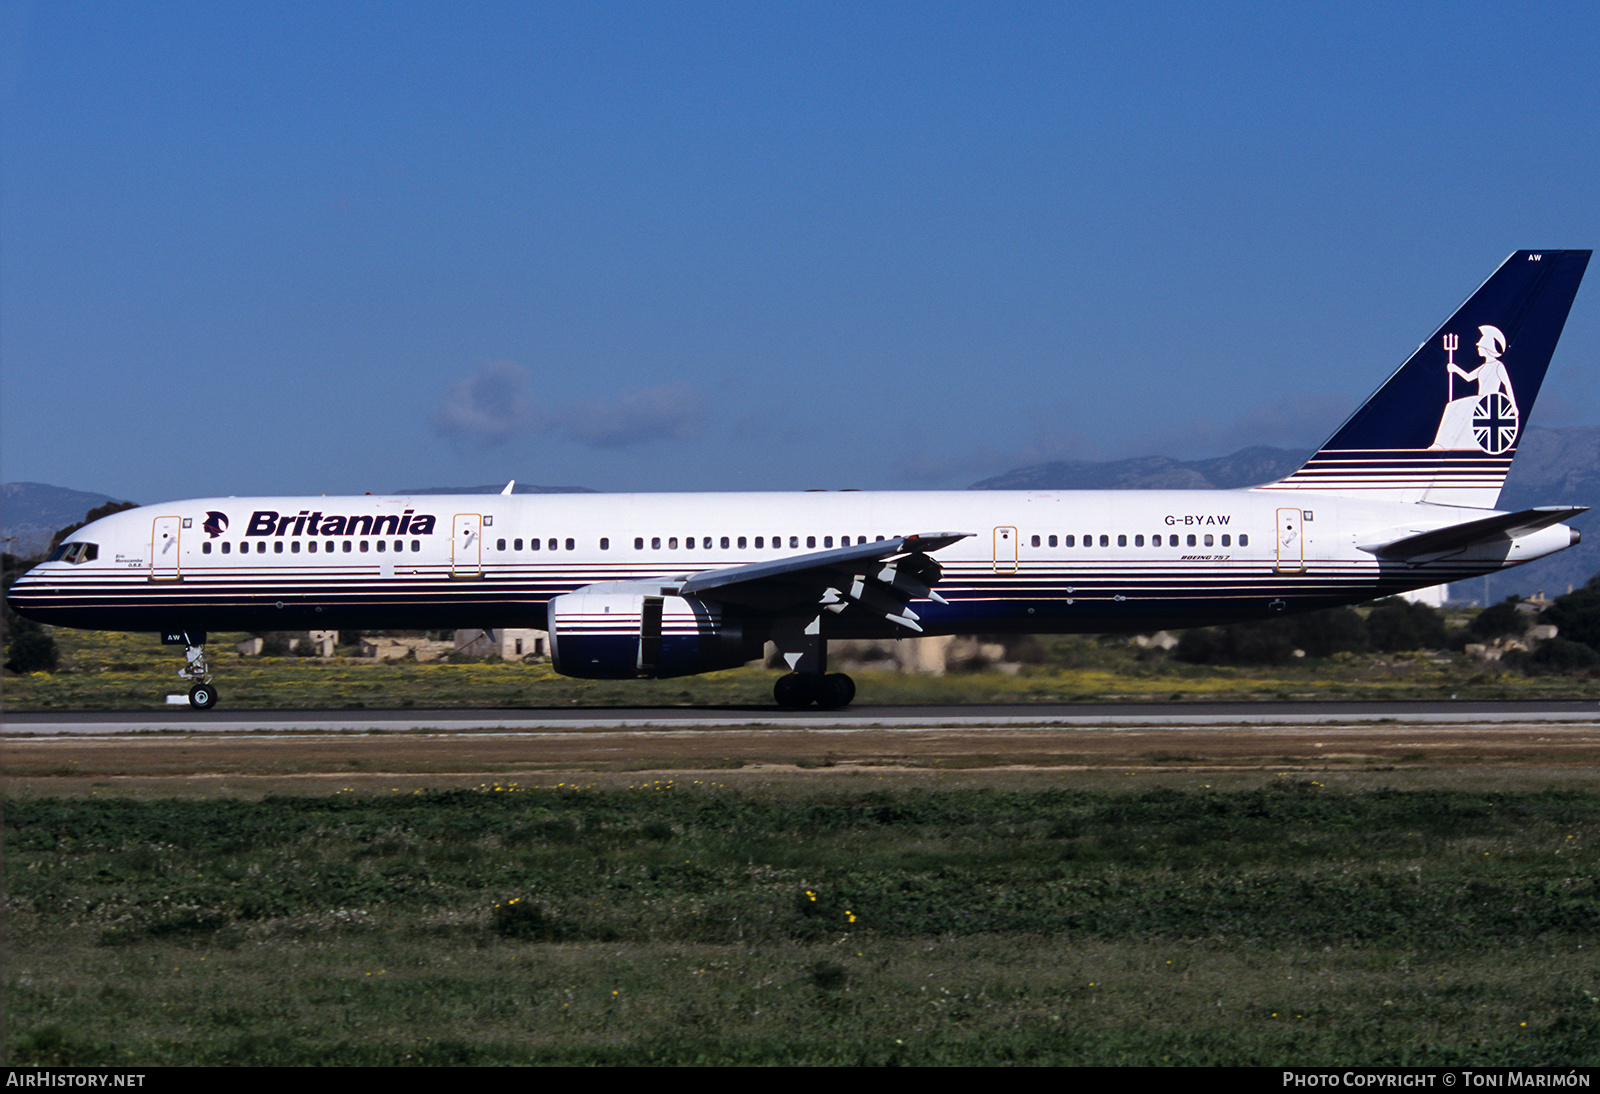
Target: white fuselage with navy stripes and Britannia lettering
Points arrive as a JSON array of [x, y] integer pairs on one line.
[[1033, 562]]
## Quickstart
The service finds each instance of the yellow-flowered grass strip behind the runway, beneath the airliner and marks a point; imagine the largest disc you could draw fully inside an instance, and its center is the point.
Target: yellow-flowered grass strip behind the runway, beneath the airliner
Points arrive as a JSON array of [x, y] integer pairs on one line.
[[111, 671]]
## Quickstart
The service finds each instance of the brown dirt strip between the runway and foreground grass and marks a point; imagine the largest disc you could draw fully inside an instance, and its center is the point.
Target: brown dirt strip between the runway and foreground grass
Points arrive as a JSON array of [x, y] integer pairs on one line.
[[279, 762]]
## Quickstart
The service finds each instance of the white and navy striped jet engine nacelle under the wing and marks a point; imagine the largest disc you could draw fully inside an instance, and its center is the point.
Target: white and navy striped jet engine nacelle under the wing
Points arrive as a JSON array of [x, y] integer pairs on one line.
[[620, 633]]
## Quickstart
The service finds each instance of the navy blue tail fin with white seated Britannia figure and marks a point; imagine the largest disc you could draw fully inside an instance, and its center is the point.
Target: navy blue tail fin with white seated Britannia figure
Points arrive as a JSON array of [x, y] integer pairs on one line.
[[1446, 426]]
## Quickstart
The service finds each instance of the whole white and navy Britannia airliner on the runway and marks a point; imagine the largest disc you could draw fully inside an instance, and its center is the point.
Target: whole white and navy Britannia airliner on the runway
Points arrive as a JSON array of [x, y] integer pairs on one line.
[[674, 585]]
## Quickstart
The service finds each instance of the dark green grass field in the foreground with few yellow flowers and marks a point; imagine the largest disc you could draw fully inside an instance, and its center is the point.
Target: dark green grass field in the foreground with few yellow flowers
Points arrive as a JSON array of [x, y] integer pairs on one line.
[[996, 919]]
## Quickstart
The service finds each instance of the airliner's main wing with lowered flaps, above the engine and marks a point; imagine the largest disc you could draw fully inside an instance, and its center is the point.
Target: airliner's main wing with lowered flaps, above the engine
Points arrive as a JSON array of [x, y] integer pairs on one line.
[[881, 578]]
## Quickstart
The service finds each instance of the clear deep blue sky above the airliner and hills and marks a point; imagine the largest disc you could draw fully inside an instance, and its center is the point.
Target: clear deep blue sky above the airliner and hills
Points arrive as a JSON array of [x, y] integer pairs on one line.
[[342, 249]]
